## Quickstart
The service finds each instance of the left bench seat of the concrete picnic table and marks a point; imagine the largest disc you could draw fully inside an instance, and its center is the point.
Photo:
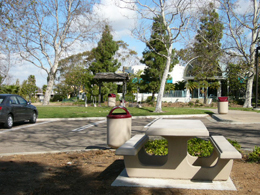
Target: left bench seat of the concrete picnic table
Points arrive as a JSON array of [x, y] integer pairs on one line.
[[133, 145]]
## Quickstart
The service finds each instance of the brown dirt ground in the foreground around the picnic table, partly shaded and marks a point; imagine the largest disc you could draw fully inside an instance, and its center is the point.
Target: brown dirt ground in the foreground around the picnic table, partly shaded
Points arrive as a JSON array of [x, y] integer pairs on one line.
[[92, 172]]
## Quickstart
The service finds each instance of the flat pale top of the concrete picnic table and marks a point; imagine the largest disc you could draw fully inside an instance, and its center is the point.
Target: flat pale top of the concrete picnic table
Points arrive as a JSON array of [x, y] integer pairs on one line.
[[173, 127]]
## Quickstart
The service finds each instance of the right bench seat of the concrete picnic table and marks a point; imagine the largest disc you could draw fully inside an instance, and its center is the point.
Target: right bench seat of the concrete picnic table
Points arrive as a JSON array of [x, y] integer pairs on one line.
[[224, 148]]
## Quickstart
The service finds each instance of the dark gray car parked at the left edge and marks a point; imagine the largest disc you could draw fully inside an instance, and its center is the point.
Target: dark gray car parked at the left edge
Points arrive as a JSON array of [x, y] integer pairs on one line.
[[14, 108]]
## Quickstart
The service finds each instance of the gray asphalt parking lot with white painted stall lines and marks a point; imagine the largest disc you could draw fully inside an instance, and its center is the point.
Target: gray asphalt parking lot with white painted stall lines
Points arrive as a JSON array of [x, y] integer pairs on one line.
[[68, 135]]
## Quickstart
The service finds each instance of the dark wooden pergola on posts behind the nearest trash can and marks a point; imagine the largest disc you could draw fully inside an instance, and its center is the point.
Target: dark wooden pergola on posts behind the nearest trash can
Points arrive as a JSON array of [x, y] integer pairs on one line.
[[112, 77]]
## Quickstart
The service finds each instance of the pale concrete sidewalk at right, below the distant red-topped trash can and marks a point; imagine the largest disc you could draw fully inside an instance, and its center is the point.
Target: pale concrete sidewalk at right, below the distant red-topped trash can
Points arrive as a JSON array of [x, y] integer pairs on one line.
[[237, 117]]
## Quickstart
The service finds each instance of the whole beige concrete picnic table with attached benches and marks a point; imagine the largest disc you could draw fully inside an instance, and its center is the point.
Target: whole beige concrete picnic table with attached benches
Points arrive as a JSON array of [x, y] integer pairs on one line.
[[178, 164]]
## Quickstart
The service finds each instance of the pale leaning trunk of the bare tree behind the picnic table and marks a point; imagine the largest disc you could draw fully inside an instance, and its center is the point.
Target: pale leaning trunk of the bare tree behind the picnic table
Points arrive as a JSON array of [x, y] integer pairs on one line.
[[158, 107]]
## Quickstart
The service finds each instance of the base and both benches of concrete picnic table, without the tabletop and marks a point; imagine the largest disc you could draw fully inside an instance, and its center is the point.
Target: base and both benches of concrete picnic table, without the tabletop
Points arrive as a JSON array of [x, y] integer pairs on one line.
[[175, 165]]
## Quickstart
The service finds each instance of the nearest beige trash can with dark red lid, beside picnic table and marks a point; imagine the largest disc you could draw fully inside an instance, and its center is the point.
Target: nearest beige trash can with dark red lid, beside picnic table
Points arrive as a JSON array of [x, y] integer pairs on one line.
[[118, 127]]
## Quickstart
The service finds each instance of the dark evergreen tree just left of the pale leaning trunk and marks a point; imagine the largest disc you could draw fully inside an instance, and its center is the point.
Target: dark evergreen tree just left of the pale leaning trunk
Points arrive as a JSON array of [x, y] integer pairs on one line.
[[154, 58]]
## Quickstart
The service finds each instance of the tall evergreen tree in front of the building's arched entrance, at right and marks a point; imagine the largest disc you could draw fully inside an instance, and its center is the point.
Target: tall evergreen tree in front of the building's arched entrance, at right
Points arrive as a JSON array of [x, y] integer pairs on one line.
[[207, 48]]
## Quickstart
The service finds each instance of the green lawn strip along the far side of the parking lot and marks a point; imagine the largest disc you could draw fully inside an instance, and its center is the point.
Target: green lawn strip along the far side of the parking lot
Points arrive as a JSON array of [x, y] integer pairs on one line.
[[74, 112]]
